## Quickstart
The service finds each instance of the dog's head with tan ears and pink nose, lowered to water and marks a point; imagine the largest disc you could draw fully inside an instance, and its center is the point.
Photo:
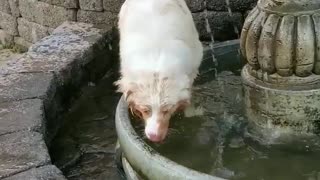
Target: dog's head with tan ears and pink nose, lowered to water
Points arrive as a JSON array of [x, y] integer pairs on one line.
[[155, 99]]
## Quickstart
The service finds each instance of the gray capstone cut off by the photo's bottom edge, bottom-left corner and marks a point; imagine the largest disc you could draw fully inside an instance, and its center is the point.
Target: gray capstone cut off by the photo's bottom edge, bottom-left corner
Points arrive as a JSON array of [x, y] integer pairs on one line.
[[42, 173]]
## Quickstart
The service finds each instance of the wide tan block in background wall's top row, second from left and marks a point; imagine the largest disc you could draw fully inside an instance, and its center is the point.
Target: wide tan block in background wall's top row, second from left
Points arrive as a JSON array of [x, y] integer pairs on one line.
[[45, 14]]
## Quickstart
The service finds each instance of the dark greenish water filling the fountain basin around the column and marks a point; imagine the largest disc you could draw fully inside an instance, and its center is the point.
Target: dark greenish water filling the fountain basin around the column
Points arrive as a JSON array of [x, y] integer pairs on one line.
[[218, 141]]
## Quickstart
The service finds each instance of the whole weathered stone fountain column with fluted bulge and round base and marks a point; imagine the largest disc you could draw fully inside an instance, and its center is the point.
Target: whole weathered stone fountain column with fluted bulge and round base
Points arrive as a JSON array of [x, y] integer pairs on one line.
[[280, 41]]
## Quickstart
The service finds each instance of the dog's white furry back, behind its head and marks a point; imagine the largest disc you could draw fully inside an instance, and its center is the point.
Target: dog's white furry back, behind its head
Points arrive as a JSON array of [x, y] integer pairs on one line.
[[159, 36]]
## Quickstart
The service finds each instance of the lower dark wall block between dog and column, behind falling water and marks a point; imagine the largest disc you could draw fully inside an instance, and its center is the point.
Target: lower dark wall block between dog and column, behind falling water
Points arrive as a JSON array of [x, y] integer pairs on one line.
[[221, 24]]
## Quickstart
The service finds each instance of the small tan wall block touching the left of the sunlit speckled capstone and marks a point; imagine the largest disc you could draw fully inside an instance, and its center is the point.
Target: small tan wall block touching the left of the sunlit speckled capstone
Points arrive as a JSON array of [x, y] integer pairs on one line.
[[32, 32]]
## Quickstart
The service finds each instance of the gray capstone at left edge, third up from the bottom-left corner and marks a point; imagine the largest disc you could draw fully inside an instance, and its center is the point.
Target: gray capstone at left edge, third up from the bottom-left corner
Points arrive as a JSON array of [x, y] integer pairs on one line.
[[21, 115]]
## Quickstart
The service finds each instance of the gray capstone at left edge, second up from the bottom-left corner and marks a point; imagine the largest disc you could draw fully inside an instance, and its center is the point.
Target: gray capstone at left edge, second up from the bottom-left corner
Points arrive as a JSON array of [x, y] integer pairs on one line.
[[22, 151]]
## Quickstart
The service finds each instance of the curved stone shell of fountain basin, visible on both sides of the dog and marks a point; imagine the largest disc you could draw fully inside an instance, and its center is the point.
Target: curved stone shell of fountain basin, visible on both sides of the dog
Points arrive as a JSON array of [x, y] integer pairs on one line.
[[138, 159]]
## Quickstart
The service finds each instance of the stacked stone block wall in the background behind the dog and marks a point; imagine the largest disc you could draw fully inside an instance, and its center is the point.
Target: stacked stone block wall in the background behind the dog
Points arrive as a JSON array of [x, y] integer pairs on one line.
[[26, 21]]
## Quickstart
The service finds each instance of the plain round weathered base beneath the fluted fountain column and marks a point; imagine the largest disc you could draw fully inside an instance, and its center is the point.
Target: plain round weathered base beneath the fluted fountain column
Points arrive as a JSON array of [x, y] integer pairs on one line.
[[281, 106]]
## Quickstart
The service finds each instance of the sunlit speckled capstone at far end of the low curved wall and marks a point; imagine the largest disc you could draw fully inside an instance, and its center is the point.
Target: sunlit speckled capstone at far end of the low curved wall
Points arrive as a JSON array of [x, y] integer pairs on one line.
[[54, 53]]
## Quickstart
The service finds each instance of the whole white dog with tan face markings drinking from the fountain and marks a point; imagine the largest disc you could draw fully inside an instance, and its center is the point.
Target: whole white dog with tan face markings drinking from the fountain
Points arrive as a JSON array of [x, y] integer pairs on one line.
[[160, 55]]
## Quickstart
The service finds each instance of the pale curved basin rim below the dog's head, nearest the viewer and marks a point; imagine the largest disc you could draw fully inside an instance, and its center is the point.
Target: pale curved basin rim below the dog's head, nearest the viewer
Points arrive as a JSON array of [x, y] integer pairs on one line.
[[137, 153]]
